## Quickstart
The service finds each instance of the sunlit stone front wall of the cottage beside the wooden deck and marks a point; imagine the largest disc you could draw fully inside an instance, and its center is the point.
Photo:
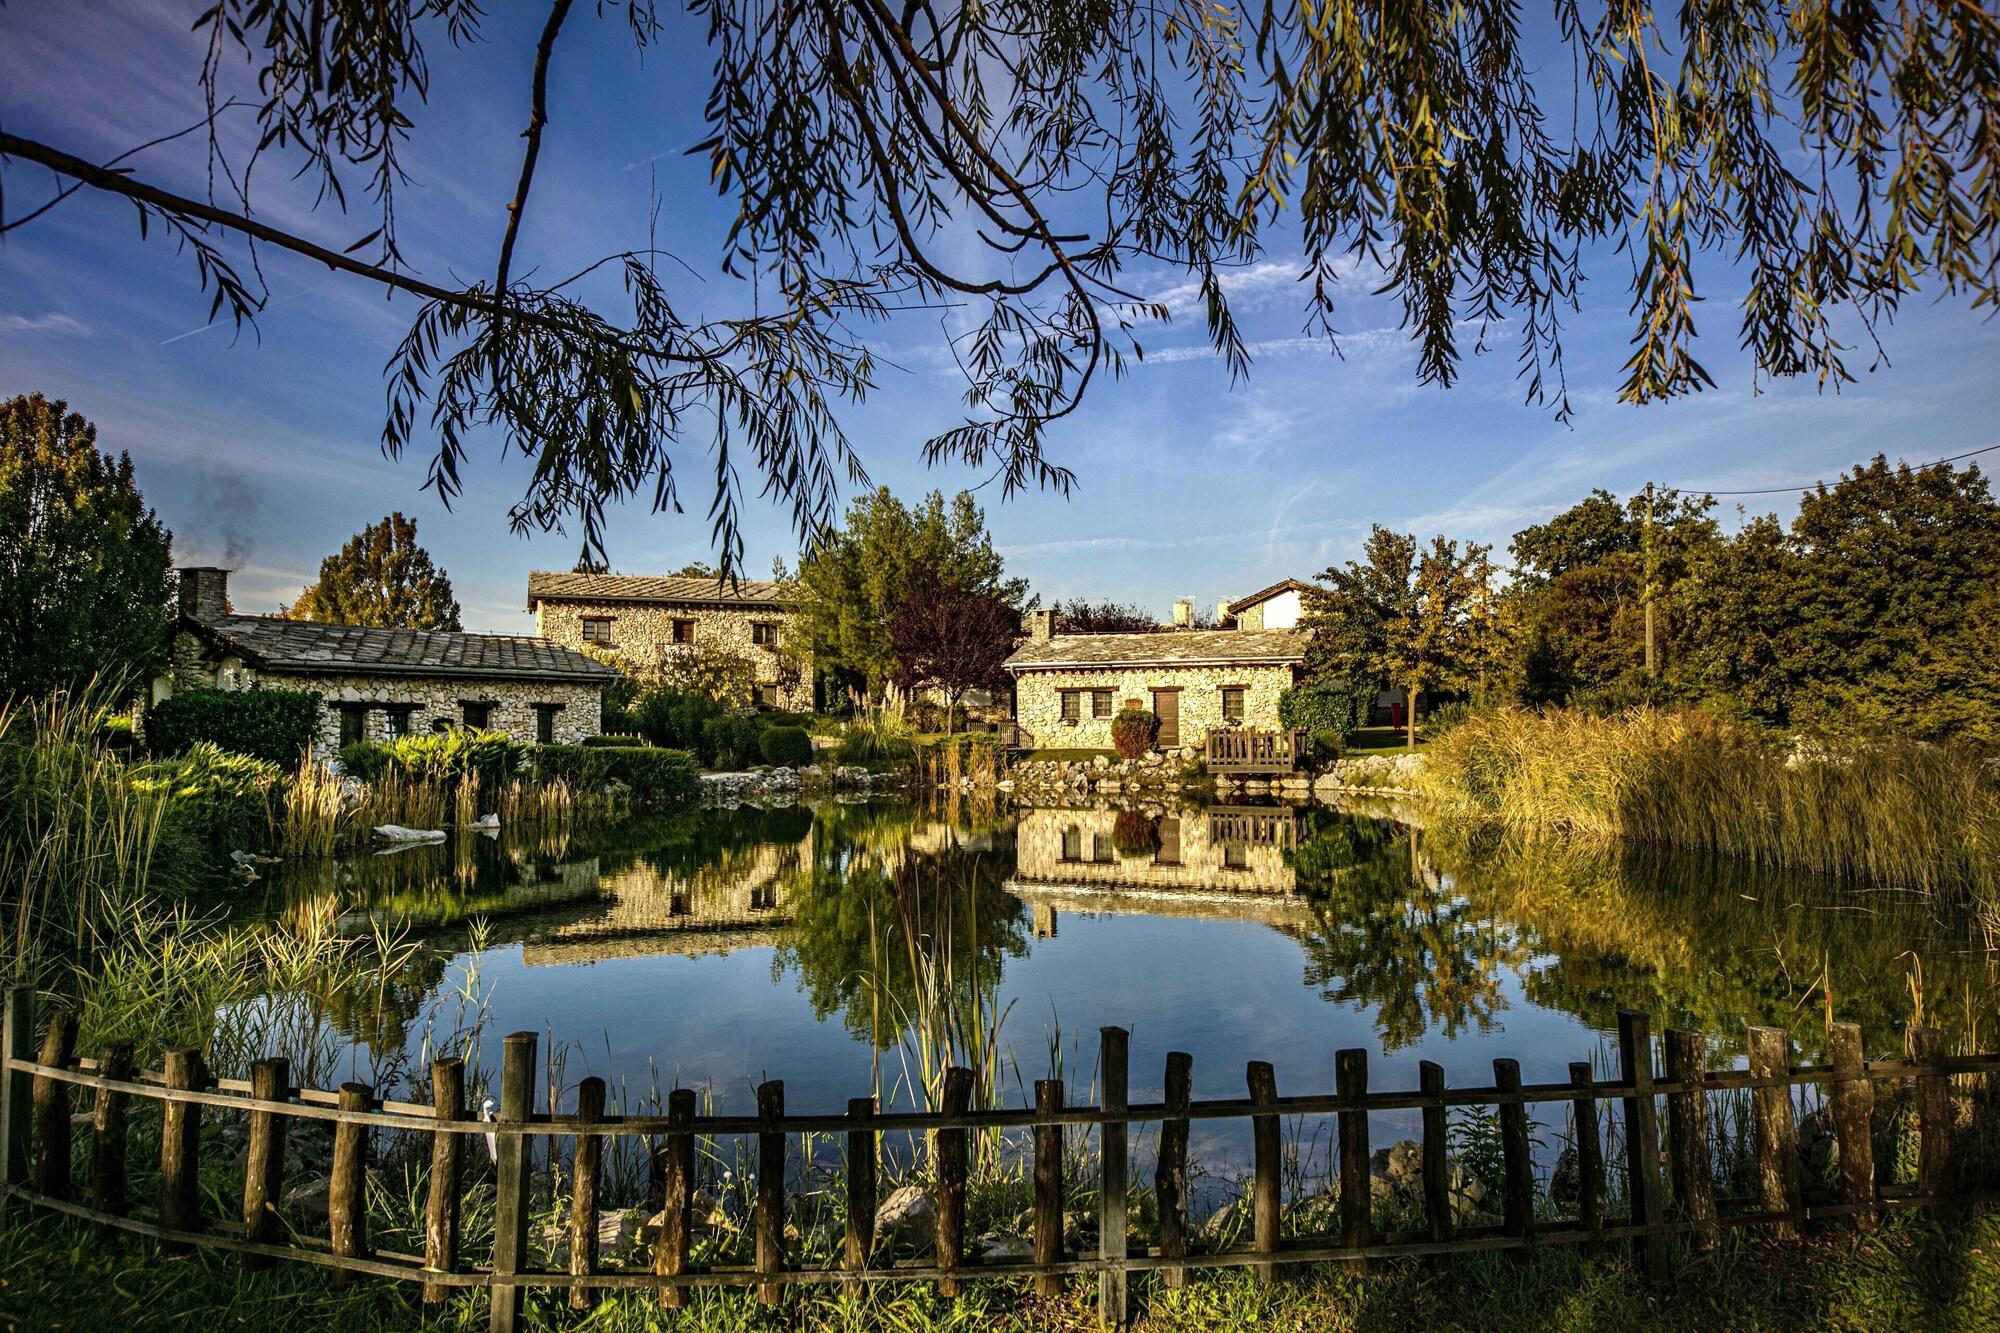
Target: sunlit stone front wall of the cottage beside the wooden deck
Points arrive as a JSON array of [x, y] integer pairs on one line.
[[1039, 702]]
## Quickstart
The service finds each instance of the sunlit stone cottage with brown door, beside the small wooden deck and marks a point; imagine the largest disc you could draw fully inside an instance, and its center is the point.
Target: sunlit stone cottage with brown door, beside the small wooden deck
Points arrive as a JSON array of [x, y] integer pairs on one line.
[[1069, 688]]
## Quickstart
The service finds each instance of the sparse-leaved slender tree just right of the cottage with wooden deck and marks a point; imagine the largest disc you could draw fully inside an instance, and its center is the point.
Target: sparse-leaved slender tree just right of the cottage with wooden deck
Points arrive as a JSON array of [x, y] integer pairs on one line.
[[1421, 619]]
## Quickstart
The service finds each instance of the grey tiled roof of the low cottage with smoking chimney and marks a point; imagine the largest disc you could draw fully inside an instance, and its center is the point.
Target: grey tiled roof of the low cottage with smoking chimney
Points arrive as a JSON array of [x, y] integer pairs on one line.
[[329, 649]]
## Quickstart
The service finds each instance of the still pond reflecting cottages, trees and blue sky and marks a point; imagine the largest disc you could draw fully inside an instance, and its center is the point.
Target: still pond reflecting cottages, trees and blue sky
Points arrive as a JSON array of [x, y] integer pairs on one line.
[[843, 948]]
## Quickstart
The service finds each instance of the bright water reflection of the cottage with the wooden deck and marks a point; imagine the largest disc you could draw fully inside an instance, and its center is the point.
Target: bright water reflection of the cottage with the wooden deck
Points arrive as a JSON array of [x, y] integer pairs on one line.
[[1223, 862]]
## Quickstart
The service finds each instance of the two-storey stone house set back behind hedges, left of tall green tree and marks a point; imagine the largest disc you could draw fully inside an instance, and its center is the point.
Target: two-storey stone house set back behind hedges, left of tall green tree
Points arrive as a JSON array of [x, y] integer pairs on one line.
[[647, 619]]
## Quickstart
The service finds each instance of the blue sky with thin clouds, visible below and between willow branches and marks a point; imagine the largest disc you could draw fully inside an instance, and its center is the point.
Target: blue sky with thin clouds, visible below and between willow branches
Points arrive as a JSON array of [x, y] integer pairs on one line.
[[263, 449]]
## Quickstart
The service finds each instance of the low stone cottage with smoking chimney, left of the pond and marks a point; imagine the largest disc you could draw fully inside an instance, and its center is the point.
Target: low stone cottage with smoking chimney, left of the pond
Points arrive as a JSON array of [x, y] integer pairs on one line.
[[385, 684]]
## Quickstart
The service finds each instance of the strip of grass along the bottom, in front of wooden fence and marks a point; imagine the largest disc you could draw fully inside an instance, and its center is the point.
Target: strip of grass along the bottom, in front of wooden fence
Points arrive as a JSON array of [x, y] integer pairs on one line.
[[1911, 1274]]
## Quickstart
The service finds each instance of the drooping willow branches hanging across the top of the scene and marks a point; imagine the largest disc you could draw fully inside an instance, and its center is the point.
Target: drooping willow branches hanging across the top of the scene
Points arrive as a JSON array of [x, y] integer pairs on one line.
[[1023, 159]]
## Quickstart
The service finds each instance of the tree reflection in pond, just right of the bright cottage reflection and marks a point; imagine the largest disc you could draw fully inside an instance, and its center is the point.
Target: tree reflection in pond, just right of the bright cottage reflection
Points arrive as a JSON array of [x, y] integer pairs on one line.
[[1391, 936]]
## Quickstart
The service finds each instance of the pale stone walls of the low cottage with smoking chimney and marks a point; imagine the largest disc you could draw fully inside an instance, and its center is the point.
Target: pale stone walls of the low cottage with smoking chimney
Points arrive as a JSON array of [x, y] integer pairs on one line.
[[431, 700]]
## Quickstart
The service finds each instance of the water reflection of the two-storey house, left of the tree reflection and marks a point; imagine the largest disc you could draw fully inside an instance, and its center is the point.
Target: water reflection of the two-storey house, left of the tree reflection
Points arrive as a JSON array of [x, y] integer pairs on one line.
[[737, 902]]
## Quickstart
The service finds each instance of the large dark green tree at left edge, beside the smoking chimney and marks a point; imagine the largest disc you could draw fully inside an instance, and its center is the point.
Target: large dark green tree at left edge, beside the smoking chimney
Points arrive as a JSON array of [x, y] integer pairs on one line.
[[83, 561]]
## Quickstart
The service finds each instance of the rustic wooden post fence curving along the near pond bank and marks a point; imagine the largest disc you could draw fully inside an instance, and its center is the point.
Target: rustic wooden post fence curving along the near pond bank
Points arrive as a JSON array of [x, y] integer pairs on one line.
[[1669, 1178]]
